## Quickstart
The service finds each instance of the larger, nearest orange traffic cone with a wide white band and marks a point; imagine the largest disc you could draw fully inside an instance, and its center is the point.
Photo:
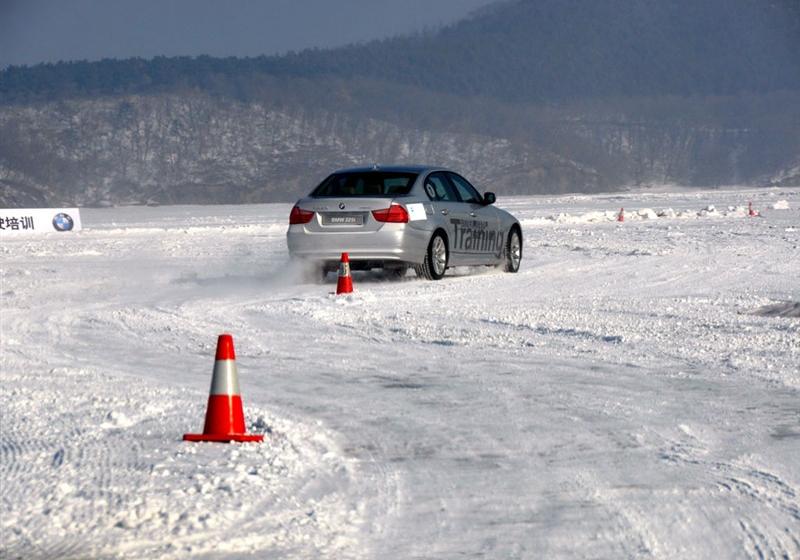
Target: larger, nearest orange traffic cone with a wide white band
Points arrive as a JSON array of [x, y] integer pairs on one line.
[[224, 415]]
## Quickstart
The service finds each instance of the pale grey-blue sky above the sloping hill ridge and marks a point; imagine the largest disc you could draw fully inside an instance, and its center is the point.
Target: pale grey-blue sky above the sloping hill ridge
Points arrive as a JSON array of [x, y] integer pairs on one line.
[[34, 31]]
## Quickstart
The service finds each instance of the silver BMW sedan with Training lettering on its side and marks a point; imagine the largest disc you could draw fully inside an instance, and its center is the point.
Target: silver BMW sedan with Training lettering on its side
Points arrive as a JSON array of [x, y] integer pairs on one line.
[[428, 218]]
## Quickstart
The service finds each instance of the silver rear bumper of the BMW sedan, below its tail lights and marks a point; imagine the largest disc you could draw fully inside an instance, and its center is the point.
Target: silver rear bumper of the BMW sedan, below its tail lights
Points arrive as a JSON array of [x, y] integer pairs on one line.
[[393, 243]]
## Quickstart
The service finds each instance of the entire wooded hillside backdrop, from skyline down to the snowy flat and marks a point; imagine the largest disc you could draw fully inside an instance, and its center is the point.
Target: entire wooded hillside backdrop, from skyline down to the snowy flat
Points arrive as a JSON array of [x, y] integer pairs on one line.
[[527, 95]]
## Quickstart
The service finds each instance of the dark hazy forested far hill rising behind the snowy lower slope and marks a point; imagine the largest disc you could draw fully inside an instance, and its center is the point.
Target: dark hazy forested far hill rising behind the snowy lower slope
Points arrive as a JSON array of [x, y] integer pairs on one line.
[[520, 51]]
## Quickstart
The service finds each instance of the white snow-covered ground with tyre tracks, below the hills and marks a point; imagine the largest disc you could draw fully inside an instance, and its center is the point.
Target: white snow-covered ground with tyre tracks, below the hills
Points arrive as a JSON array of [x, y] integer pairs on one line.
[[633, 392]]
